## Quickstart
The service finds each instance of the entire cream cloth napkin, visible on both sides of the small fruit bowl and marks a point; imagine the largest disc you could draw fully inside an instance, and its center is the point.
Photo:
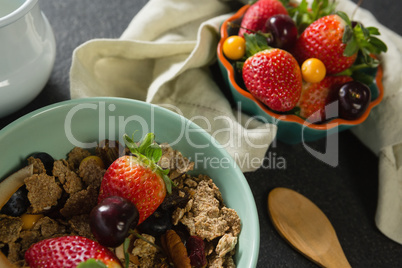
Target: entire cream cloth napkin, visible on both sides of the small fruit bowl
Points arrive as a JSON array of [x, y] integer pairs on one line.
[[163, 57]]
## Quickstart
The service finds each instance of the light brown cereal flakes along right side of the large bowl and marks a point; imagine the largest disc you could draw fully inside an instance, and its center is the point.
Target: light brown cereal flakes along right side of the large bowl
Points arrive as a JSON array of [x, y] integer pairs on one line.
[[205, 215]]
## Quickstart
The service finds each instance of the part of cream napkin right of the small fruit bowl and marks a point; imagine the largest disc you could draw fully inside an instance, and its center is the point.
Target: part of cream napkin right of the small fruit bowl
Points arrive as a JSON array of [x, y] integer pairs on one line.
[[382, 131]]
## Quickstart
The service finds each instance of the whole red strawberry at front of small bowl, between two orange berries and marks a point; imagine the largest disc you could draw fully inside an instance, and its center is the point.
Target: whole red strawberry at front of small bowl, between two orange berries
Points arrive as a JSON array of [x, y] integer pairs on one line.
[[274, 77]]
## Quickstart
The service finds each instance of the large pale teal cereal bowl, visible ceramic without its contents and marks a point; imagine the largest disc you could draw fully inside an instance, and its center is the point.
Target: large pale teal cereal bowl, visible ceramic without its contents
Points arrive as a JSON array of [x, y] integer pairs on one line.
[[57, 128]]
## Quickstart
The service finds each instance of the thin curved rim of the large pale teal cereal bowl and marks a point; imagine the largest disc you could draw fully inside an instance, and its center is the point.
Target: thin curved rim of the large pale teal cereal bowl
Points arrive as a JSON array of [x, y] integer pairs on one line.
[[255, 228]]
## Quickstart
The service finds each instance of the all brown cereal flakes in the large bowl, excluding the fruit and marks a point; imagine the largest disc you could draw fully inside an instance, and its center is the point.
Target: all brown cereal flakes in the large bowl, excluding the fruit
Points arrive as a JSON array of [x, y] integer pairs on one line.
[[64, 198]]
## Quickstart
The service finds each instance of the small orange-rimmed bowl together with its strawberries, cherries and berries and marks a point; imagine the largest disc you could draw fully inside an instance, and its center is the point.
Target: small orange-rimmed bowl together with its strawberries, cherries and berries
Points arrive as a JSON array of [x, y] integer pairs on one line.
[[310, 70]]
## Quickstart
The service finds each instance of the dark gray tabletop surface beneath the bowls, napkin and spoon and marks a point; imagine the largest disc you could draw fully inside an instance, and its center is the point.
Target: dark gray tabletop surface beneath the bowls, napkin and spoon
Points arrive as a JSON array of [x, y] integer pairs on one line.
[[346, 193]]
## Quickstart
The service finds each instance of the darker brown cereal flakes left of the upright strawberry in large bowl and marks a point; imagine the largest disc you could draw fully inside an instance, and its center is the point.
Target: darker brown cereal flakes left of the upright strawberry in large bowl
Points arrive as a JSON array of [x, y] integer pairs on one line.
[[60, 202]]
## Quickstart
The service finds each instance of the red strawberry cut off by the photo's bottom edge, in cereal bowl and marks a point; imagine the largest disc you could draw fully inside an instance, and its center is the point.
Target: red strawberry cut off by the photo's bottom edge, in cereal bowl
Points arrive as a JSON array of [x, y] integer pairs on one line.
[[68, 251]]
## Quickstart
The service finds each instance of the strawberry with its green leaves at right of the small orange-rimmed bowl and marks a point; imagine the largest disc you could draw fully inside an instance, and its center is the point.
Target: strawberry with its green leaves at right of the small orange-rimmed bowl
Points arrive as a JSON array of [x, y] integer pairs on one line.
[[336, 42]]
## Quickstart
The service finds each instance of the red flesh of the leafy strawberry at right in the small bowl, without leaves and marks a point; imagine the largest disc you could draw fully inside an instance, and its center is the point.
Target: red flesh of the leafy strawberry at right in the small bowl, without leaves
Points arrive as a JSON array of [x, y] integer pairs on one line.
[[323, 40]]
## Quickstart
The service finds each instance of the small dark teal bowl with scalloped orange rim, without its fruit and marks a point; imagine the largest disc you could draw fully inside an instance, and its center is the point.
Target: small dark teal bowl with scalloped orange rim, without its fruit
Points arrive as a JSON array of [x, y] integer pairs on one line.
[[292, 129]]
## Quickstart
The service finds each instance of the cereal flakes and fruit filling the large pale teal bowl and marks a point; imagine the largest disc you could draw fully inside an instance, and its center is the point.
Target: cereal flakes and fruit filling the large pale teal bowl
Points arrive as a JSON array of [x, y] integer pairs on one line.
[[94, 202]]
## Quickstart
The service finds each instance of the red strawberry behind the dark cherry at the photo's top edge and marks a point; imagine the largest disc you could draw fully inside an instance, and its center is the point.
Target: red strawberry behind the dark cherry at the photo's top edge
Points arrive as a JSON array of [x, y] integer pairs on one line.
[[257, 14]]
